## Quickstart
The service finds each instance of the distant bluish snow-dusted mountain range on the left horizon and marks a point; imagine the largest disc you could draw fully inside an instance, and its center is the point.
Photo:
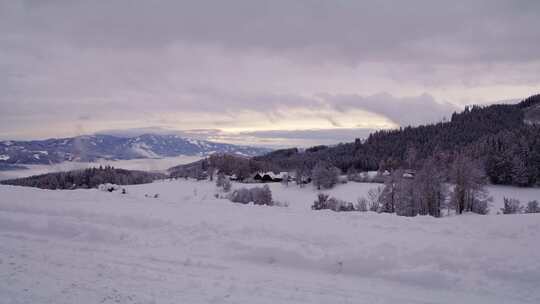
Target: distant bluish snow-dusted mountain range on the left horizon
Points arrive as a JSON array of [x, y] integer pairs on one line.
[[90, 148]]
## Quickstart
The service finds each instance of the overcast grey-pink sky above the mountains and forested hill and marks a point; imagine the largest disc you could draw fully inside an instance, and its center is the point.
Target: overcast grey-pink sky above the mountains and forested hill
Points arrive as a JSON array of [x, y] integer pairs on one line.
[[258, 72]]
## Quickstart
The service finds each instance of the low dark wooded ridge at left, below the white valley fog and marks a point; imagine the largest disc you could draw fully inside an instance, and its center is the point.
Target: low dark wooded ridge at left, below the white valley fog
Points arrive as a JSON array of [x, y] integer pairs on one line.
[[87, 178]]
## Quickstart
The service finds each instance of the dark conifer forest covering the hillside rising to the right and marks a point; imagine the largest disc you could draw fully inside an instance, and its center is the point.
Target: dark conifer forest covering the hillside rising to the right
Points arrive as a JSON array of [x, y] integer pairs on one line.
[[507, 148]]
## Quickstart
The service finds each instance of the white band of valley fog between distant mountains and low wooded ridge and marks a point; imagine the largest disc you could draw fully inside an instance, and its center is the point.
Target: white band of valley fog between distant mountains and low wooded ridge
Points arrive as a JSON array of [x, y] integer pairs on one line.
[[145, 164]]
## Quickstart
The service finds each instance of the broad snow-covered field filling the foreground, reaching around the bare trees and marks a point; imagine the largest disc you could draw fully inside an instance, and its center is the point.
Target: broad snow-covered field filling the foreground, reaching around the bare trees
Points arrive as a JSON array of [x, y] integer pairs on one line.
[[186, 246]]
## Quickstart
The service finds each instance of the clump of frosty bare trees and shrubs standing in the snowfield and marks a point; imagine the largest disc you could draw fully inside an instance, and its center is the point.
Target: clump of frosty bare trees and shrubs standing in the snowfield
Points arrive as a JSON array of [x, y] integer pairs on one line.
[[427, 191]]
